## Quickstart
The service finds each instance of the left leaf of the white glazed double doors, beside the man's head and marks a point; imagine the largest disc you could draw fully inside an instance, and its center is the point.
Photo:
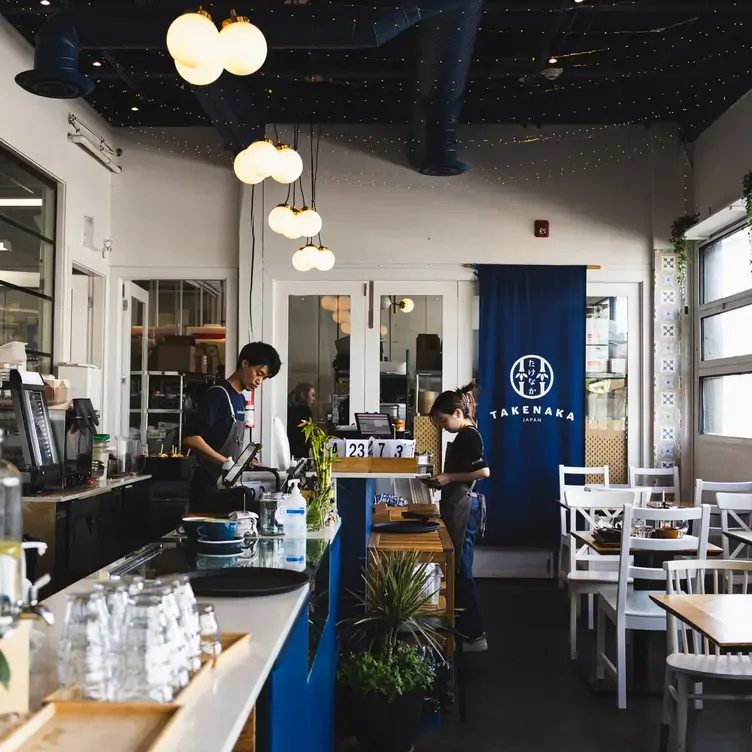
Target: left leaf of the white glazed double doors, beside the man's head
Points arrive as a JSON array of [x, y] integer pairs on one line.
[[318, 328]]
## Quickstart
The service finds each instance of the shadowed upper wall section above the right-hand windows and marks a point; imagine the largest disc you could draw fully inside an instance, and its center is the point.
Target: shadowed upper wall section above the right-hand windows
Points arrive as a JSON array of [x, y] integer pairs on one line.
[[722, 155]]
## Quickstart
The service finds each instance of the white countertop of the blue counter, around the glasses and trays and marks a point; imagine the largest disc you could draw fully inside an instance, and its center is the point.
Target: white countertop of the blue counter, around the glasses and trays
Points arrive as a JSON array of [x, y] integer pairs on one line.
[[219, 707]]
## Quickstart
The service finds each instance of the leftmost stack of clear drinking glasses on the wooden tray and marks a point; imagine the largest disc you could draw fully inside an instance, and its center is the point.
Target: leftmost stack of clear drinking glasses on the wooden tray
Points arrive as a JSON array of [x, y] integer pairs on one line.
[[84, 661]]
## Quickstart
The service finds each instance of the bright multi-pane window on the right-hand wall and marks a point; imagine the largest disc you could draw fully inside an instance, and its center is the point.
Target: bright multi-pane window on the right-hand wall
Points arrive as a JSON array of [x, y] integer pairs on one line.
[[725, 337]]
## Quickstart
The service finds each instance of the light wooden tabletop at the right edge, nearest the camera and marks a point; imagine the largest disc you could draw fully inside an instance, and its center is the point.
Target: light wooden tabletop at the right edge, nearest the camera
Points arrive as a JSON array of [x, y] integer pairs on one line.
[[726, 620]]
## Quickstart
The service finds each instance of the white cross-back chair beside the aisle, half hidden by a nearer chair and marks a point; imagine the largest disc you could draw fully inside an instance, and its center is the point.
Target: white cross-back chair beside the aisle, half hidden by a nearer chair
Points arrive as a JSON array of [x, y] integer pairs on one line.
[[602, 570]]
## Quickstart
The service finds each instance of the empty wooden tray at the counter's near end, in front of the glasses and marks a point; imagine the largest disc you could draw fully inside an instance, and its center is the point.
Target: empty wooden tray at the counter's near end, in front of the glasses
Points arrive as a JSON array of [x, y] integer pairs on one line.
[[74, 727]]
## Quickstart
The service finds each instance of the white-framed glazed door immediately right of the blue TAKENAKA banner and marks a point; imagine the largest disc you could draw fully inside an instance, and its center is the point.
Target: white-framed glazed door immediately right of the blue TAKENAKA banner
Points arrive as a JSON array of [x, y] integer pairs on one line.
[[617, 410]]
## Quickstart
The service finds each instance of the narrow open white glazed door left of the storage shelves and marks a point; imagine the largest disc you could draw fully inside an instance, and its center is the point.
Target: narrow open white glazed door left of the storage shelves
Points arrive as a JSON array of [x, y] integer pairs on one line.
[[134, 377]]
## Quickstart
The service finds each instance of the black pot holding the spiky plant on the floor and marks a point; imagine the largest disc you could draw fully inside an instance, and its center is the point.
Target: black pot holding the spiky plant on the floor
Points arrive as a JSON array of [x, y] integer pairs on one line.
[[383, 726]]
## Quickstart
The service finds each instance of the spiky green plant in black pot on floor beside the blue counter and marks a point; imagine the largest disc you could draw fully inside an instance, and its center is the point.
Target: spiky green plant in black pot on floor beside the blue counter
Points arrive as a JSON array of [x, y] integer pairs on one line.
[[384, 682]]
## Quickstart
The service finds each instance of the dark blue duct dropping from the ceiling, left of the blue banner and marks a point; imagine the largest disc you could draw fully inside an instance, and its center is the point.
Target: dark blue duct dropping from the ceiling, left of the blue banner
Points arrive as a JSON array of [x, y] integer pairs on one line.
[[445, 52]]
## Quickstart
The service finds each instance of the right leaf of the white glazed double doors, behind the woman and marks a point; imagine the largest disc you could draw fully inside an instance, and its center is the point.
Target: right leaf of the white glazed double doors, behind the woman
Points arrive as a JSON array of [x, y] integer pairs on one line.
[[412, 350]]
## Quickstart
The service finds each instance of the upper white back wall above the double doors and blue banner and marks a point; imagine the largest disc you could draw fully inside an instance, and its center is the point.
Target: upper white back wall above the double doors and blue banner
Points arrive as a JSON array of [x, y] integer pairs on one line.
[[610, 194]]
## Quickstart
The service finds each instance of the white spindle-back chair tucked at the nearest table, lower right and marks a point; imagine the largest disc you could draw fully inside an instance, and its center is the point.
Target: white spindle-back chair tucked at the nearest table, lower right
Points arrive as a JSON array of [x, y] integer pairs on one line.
[[691, 656]]
